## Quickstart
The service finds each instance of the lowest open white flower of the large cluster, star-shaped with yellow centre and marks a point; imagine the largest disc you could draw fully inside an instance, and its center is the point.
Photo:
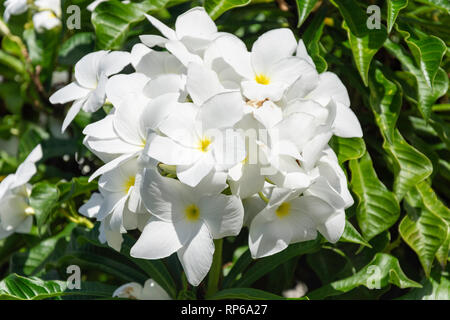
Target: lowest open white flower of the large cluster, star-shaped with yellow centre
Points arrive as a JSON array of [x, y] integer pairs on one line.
[[186, 220]]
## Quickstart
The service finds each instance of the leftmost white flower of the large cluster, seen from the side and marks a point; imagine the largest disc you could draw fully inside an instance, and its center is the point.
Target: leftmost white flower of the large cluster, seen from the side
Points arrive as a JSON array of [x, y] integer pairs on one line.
[[91, 76]]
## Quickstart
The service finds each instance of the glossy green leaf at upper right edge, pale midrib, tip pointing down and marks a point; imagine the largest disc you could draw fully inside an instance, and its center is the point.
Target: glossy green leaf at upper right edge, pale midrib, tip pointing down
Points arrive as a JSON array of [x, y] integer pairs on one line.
[[432, 81]]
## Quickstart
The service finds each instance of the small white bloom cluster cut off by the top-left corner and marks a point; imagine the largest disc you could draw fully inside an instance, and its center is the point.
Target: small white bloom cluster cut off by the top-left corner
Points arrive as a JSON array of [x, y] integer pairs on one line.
[[47, 12]]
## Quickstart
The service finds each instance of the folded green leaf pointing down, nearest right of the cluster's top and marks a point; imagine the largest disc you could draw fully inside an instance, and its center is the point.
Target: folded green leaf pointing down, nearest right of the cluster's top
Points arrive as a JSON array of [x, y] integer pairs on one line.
[[364, 47]]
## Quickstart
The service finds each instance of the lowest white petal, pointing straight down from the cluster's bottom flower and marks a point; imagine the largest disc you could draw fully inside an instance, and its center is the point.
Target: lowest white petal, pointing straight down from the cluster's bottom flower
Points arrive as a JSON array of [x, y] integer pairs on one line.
[[196, 256]]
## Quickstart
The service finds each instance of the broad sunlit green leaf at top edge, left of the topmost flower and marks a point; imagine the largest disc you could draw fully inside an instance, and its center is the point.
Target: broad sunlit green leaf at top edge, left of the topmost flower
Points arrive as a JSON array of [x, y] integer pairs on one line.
[[112, 20]]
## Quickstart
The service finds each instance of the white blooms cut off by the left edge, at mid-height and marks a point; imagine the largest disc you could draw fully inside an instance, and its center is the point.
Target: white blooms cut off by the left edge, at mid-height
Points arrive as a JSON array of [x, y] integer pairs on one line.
[[16, 215]]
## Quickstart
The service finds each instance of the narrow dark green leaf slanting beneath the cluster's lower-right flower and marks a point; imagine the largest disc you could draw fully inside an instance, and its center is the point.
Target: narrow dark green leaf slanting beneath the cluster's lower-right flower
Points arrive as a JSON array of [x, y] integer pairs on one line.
[[267, 264]]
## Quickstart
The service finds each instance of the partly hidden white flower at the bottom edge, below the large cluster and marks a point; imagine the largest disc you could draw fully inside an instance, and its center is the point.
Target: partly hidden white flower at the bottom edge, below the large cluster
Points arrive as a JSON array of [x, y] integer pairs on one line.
[[134, 290]]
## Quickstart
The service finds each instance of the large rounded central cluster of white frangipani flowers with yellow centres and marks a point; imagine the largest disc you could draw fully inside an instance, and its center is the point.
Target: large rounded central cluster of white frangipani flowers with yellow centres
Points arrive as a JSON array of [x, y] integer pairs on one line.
[[205, 137]]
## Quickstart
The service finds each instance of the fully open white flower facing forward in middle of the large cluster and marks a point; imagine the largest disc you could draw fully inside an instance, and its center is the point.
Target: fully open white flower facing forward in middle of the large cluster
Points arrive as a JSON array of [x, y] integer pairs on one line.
[[201, 139]]
